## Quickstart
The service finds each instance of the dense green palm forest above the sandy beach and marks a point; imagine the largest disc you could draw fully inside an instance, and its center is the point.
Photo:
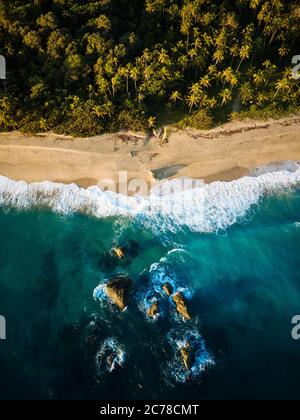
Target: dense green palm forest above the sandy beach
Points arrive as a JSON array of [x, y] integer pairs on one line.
[[84, 67]]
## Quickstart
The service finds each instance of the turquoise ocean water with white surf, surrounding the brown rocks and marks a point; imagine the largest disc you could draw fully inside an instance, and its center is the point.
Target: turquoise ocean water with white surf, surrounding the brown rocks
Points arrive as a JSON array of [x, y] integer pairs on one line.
[[235, 256]]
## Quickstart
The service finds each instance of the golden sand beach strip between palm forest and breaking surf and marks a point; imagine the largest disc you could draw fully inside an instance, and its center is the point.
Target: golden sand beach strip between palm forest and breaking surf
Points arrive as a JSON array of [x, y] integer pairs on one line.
[[225, 153]]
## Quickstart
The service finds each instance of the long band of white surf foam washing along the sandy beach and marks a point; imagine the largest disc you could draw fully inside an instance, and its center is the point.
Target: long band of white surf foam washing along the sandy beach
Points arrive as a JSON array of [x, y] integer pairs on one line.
[[203, 209]]
